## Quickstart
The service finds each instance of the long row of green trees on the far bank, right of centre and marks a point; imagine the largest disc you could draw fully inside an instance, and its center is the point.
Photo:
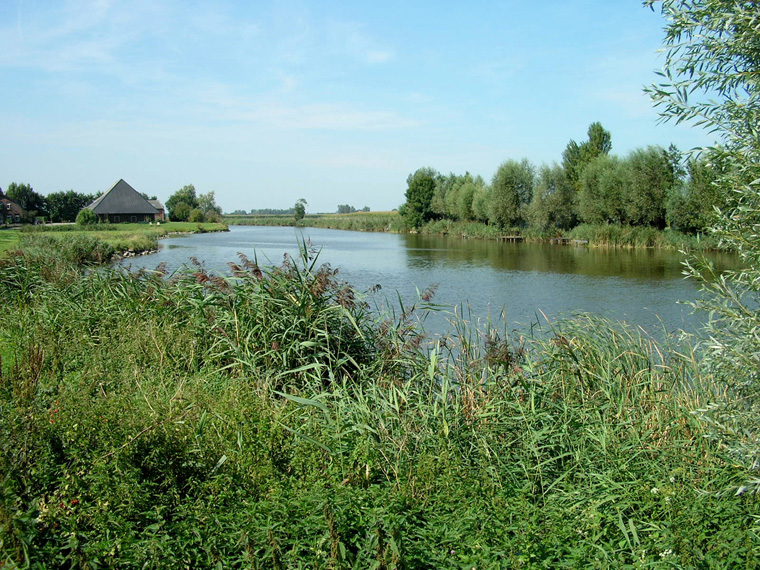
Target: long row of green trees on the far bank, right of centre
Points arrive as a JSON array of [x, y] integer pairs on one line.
[[648, 187]]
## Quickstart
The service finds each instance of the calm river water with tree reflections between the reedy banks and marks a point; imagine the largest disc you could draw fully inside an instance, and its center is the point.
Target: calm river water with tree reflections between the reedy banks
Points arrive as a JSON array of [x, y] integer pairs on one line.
[[480, 277]]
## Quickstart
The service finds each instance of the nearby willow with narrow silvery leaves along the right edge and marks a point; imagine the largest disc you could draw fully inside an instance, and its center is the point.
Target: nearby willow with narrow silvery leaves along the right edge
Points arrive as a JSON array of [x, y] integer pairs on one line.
[[711, 79]]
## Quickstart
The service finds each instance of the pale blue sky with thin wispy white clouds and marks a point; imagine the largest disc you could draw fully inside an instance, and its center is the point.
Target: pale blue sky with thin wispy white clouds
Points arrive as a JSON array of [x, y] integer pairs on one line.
[[266, 102]]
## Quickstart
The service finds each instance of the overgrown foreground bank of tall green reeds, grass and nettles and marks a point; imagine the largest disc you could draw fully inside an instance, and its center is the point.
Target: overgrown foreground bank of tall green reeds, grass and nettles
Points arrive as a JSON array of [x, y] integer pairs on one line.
[[277, 423]]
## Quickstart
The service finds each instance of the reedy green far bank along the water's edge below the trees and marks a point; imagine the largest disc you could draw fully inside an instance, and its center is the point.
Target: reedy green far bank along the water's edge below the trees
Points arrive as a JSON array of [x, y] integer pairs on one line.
[[602, 235]]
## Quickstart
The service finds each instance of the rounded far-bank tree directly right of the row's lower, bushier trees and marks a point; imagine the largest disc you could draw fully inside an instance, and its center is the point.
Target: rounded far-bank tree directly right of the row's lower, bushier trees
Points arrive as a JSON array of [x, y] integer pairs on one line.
[[511, 188]]
